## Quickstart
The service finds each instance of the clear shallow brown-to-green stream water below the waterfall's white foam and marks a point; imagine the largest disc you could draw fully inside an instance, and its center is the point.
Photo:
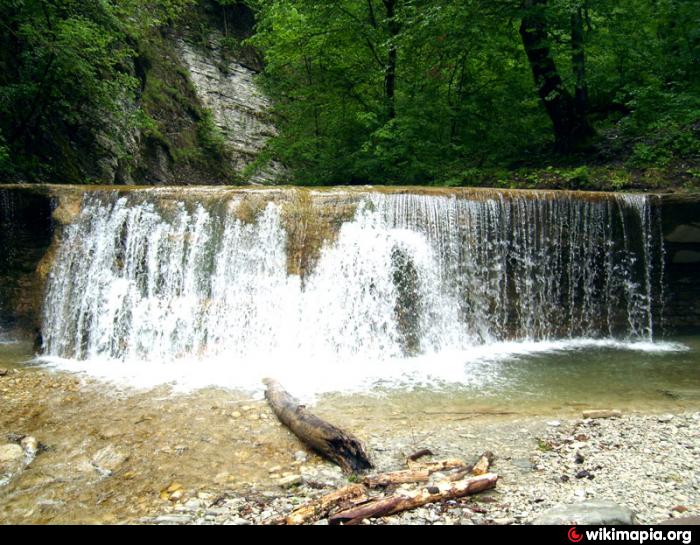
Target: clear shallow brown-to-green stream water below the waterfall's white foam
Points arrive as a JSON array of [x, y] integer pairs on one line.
[[221, 440]]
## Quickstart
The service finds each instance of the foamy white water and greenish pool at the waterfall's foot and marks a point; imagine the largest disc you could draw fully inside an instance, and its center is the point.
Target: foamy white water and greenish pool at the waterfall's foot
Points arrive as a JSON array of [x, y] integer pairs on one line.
[[505, 374]]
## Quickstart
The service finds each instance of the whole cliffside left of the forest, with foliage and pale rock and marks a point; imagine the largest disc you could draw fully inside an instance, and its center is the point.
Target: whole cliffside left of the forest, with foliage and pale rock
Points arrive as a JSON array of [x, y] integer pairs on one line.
[[131, 93]]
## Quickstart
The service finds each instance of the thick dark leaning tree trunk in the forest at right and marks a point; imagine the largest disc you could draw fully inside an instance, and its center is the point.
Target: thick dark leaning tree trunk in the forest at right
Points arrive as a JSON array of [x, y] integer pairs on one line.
[[572, 131]]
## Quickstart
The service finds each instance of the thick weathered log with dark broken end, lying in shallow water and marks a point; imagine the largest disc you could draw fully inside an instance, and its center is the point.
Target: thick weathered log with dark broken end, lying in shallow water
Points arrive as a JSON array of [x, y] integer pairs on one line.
[[338, 446]]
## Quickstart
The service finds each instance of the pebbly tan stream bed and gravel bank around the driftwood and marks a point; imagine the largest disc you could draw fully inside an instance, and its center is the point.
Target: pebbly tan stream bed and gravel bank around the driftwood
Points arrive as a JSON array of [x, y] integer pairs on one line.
[[212, 456]]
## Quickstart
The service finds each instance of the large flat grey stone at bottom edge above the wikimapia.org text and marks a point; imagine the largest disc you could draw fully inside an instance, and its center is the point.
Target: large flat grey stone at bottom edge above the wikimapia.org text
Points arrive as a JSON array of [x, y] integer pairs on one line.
[[595, 513]]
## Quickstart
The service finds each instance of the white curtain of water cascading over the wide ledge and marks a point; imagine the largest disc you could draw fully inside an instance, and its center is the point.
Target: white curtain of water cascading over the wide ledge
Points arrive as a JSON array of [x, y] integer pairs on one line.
[[413, 286]]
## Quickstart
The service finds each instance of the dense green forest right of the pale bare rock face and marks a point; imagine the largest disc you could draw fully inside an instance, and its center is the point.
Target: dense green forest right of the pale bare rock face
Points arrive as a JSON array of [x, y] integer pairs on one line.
[[455, 91]]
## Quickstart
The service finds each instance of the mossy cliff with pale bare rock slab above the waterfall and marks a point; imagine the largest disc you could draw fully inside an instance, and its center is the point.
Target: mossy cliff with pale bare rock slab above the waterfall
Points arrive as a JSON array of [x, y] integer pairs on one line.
[[199, 117]]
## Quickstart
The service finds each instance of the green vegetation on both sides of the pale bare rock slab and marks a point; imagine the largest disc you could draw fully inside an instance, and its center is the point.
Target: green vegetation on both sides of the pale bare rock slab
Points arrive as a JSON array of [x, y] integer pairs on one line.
[[382, 91]]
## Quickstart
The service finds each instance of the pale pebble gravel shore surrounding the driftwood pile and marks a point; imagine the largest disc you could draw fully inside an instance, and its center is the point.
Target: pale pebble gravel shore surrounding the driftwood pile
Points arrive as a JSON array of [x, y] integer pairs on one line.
[[639, 469]]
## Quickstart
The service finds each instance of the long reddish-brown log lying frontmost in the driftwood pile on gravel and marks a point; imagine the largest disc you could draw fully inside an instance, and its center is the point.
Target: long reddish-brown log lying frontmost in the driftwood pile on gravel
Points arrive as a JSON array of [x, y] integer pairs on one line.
[[411, 500]]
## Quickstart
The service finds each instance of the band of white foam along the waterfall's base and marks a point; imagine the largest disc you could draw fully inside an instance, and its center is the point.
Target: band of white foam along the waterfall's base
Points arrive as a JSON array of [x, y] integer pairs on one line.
[[477, 367]]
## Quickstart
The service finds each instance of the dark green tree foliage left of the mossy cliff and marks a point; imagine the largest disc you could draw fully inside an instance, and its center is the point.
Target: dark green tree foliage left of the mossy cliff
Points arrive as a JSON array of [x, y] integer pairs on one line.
[[66, 75]]
